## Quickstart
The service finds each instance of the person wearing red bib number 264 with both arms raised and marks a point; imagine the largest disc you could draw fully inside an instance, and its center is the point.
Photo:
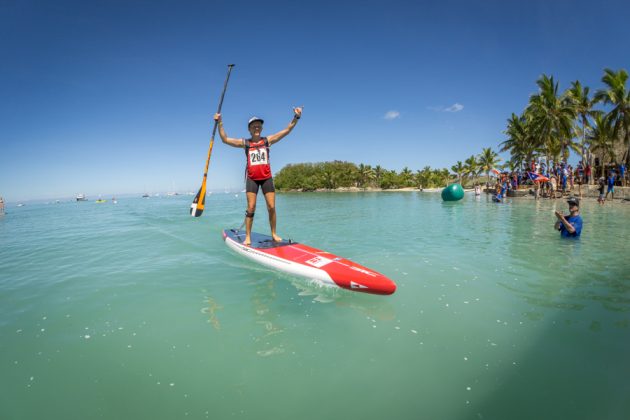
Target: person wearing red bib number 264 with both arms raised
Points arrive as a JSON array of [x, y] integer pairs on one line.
[[258, 168]]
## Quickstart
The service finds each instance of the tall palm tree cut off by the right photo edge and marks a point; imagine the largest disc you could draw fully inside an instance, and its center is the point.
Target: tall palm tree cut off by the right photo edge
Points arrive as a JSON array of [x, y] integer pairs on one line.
[[617, 96]]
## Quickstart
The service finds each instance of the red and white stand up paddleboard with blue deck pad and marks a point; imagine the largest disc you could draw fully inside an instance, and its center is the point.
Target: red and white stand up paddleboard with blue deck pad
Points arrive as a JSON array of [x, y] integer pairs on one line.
[[302, 260]]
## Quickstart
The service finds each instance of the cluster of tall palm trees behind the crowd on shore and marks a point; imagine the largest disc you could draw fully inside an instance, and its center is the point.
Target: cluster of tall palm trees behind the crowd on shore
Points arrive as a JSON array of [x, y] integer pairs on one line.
[[554, 123]]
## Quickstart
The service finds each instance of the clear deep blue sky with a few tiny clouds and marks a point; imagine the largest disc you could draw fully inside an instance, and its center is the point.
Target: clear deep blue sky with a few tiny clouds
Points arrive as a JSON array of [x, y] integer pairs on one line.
[[112, 97]]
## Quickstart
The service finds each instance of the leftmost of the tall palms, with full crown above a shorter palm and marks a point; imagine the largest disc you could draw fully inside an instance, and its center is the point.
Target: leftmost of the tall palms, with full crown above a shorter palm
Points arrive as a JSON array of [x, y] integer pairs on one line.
[[552, 117]]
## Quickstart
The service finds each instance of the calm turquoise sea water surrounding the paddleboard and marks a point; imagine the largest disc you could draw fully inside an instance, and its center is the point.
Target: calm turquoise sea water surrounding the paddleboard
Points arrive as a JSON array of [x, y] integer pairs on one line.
[[138, 311]]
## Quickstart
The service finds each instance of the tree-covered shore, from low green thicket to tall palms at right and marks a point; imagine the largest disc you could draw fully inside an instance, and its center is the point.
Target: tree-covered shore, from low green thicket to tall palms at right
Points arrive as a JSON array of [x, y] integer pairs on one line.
[[554, 123]]
